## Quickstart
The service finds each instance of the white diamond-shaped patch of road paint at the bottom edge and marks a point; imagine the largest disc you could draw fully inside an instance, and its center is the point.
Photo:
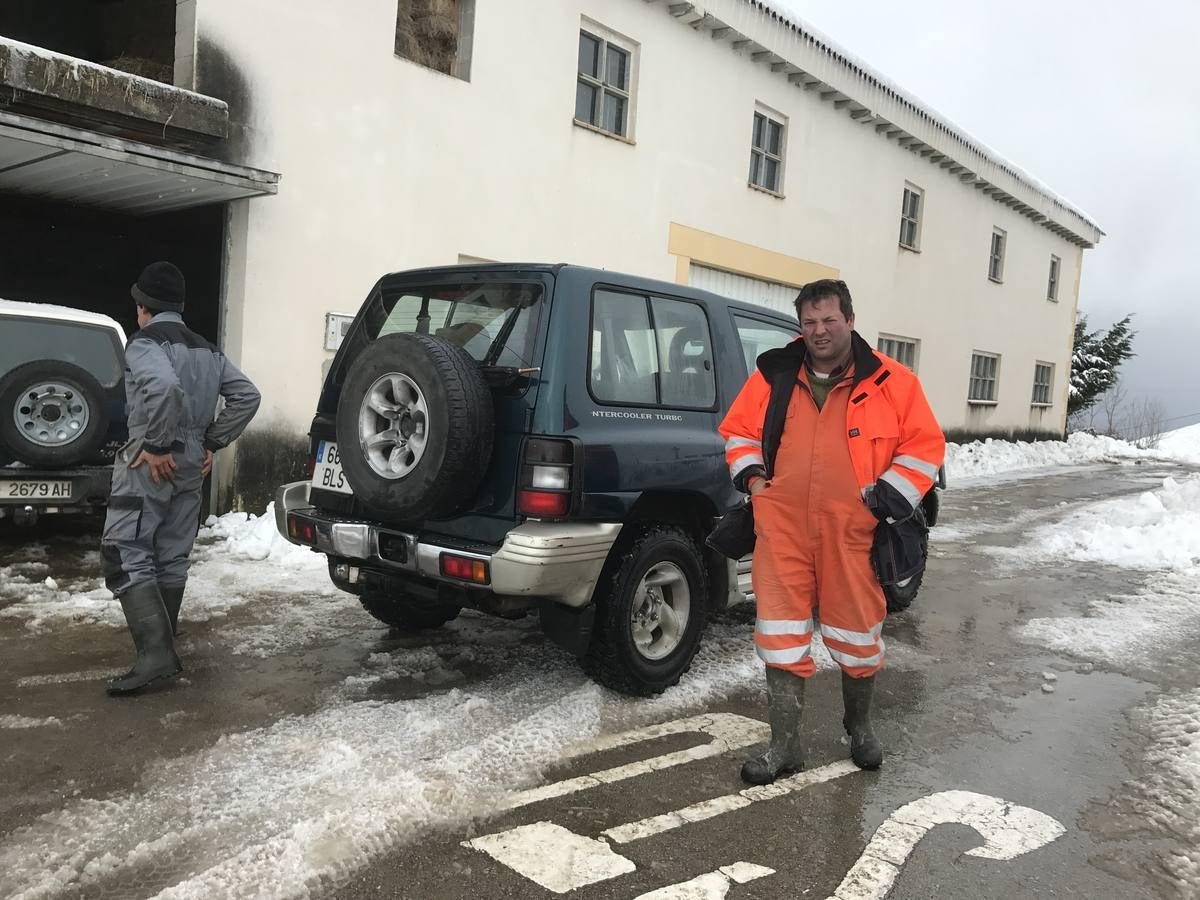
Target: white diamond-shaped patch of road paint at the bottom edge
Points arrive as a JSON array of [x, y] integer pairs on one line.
[[554, 857]]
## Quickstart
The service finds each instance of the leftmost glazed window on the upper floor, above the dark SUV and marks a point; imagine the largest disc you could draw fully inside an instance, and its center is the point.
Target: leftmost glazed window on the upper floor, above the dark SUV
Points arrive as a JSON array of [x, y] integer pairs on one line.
[[604, 92]]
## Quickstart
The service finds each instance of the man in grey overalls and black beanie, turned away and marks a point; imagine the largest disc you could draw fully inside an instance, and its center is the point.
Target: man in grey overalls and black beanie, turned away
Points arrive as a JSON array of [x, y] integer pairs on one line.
[[173, 381]]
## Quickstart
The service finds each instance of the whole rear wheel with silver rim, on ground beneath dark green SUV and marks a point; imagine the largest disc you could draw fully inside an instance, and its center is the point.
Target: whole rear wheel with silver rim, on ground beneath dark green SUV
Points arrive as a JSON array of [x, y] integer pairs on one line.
[[652, 602]]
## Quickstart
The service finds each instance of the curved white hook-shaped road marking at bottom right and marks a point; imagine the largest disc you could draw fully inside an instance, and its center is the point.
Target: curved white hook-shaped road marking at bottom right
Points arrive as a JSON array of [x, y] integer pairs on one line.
[[1009, 831]]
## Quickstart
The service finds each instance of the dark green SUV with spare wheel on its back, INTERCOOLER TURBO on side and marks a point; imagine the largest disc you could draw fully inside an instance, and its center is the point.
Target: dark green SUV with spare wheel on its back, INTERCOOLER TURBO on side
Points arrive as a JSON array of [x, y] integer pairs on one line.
[[536, 439]]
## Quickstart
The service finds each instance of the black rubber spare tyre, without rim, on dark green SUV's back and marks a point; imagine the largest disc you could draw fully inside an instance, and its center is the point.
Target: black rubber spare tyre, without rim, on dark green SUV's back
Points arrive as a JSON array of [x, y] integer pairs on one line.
[[458, 428]]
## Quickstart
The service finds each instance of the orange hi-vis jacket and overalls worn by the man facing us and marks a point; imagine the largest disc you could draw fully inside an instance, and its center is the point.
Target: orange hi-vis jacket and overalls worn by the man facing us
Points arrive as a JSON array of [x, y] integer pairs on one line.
[[875, 431]]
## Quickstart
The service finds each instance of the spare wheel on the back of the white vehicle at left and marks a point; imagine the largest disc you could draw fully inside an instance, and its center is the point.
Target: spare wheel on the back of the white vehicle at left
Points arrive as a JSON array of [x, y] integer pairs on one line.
[[64, 427]]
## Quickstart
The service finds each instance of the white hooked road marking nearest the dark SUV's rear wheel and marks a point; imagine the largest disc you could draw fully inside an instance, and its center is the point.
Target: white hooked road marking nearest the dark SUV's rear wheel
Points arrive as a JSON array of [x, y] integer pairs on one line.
[[729, 733]]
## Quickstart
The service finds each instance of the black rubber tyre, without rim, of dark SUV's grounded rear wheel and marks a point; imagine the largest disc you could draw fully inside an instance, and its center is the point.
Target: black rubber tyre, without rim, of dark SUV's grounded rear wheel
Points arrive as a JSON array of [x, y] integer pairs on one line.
[[614, 657]]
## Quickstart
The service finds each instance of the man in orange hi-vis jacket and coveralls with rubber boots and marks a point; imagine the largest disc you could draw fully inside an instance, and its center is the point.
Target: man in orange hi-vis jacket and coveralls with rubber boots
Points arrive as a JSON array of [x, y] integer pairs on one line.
[[830, 439]]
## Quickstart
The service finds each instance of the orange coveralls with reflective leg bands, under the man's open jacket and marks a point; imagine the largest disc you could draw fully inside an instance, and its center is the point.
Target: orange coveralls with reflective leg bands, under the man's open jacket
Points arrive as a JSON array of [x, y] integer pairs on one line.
[[813, 551]]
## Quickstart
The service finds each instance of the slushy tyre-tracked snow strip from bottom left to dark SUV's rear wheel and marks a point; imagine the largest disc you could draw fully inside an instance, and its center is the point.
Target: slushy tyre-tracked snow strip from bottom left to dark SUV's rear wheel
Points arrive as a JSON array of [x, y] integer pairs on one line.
[[277, 811]]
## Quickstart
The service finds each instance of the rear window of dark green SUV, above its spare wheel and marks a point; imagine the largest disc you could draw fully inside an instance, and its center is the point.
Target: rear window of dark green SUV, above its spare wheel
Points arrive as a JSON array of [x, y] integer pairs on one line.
[[495, 322]]
